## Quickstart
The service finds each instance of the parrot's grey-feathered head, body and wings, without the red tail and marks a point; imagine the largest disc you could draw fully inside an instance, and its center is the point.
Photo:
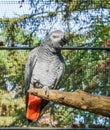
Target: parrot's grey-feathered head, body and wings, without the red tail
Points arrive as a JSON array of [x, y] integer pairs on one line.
[[45, 65]]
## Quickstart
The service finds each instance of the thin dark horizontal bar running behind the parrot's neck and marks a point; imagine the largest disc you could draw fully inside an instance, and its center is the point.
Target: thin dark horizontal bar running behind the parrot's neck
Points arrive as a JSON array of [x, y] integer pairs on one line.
[[63, 48]]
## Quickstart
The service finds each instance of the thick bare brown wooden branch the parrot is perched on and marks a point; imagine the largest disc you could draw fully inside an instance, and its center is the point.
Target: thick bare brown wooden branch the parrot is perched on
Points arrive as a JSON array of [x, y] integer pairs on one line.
[[77, 99]]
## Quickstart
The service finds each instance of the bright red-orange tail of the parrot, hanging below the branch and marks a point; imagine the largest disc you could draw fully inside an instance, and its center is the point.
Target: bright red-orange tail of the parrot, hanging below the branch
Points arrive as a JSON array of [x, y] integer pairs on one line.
[[33, 107]]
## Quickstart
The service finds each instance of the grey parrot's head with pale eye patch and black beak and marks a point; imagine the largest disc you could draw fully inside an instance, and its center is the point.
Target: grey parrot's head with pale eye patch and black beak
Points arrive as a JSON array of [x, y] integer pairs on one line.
[[55, 40]]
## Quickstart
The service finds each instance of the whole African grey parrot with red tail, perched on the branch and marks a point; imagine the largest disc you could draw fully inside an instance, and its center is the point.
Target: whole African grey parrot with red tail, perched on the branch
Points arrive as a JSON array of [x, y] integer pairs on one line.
[[44, 69]]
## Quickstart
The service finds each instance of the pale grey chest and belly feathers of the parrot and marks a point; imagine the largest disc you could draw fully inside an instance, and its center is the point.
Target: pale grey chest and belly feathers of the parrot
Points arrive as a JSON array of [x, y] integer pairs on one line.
[[47, 72]]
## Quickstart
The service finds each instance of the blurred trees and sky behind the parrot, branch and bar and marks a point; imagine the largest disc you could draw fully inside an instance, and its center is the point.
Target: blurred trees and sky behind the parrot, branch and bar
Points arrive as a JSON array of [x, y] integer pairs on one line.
[[25, 23]]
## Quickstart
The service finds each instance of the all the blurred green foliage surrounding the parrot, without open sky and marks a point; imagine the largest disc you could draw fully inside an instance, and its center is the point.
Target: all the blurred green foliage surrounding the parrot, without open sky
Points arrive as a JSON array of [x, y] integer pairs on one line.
[[86, 70]]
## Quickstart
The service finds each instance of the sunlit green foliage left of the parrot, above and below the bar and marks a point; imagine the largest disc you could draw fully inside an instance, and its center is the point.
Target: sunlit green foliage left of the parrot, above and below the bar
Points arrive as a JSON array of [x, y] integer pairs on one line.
[[12, 66]]
